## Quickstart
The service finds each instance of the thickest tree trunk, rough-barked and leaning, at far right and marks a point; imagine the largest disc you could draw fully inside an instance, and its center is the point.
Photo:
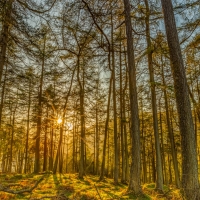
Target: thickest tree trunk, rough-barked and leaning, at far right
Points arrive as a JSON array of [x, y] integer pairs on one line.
[[190, 181]]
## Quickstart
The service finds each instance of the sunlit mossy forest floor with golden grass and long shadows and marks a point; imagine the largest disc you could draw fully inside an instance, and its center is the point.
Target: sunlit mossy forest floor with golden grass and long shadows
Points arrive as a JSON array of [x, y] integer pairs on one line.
[[70, 187]]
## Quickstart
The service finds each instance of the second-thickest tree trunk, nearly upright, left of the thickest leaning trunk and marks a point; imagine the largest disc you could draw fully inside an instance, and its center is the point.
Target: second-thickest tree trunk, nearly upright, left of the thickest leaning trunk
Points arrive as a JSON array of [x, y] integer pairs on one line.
[[135, 172]]
